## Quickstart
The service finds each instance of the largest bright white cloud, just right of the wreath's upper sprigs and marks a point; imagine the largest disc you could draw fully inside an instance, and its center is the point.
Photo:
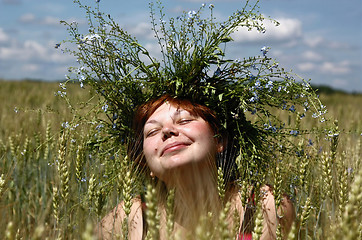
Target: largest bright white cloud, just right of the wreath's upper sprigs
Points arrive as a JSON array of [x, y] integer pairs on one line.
[[288, 30]]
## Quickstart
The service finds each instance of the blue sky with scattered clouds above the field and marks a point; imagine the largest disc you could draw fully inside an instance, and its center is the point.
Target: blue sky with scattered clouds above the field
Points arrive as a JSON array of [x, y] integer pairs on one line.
[[319, 39]]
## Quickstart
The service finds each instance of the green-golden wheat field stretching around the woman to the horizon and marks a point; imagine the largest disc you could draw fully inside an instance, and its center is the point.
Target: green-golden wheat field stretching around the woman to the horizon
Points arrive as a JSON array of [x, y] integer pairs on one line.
[[57, 183]]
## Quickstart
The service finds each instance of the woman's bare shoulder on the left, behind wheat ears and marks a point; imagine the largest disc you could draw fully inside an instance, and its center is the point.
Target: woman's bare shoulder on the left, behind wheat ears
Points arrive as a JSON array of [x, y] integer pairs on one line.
[[111, 225]]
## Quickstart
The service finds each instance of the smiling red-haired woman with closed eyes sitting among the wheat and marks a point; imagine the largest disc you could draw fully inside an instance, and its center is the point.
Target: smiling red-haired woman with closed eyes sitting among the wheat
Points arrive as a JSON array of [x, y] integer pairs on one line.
[[180, 145]]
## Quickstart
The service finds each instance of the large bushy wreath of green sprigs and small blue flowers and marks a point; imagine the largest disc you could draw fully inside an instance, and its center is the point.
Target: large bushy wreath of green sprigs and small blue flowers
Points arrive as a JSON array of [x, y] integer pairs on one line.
[[245, 93]]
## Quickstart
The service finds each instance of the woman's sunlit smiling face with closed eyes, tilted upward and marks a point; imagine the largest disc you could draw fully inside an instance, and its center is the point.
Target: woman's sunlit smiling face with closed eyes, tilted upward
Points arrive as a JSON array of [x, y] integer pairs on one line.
[[174, 139]]
